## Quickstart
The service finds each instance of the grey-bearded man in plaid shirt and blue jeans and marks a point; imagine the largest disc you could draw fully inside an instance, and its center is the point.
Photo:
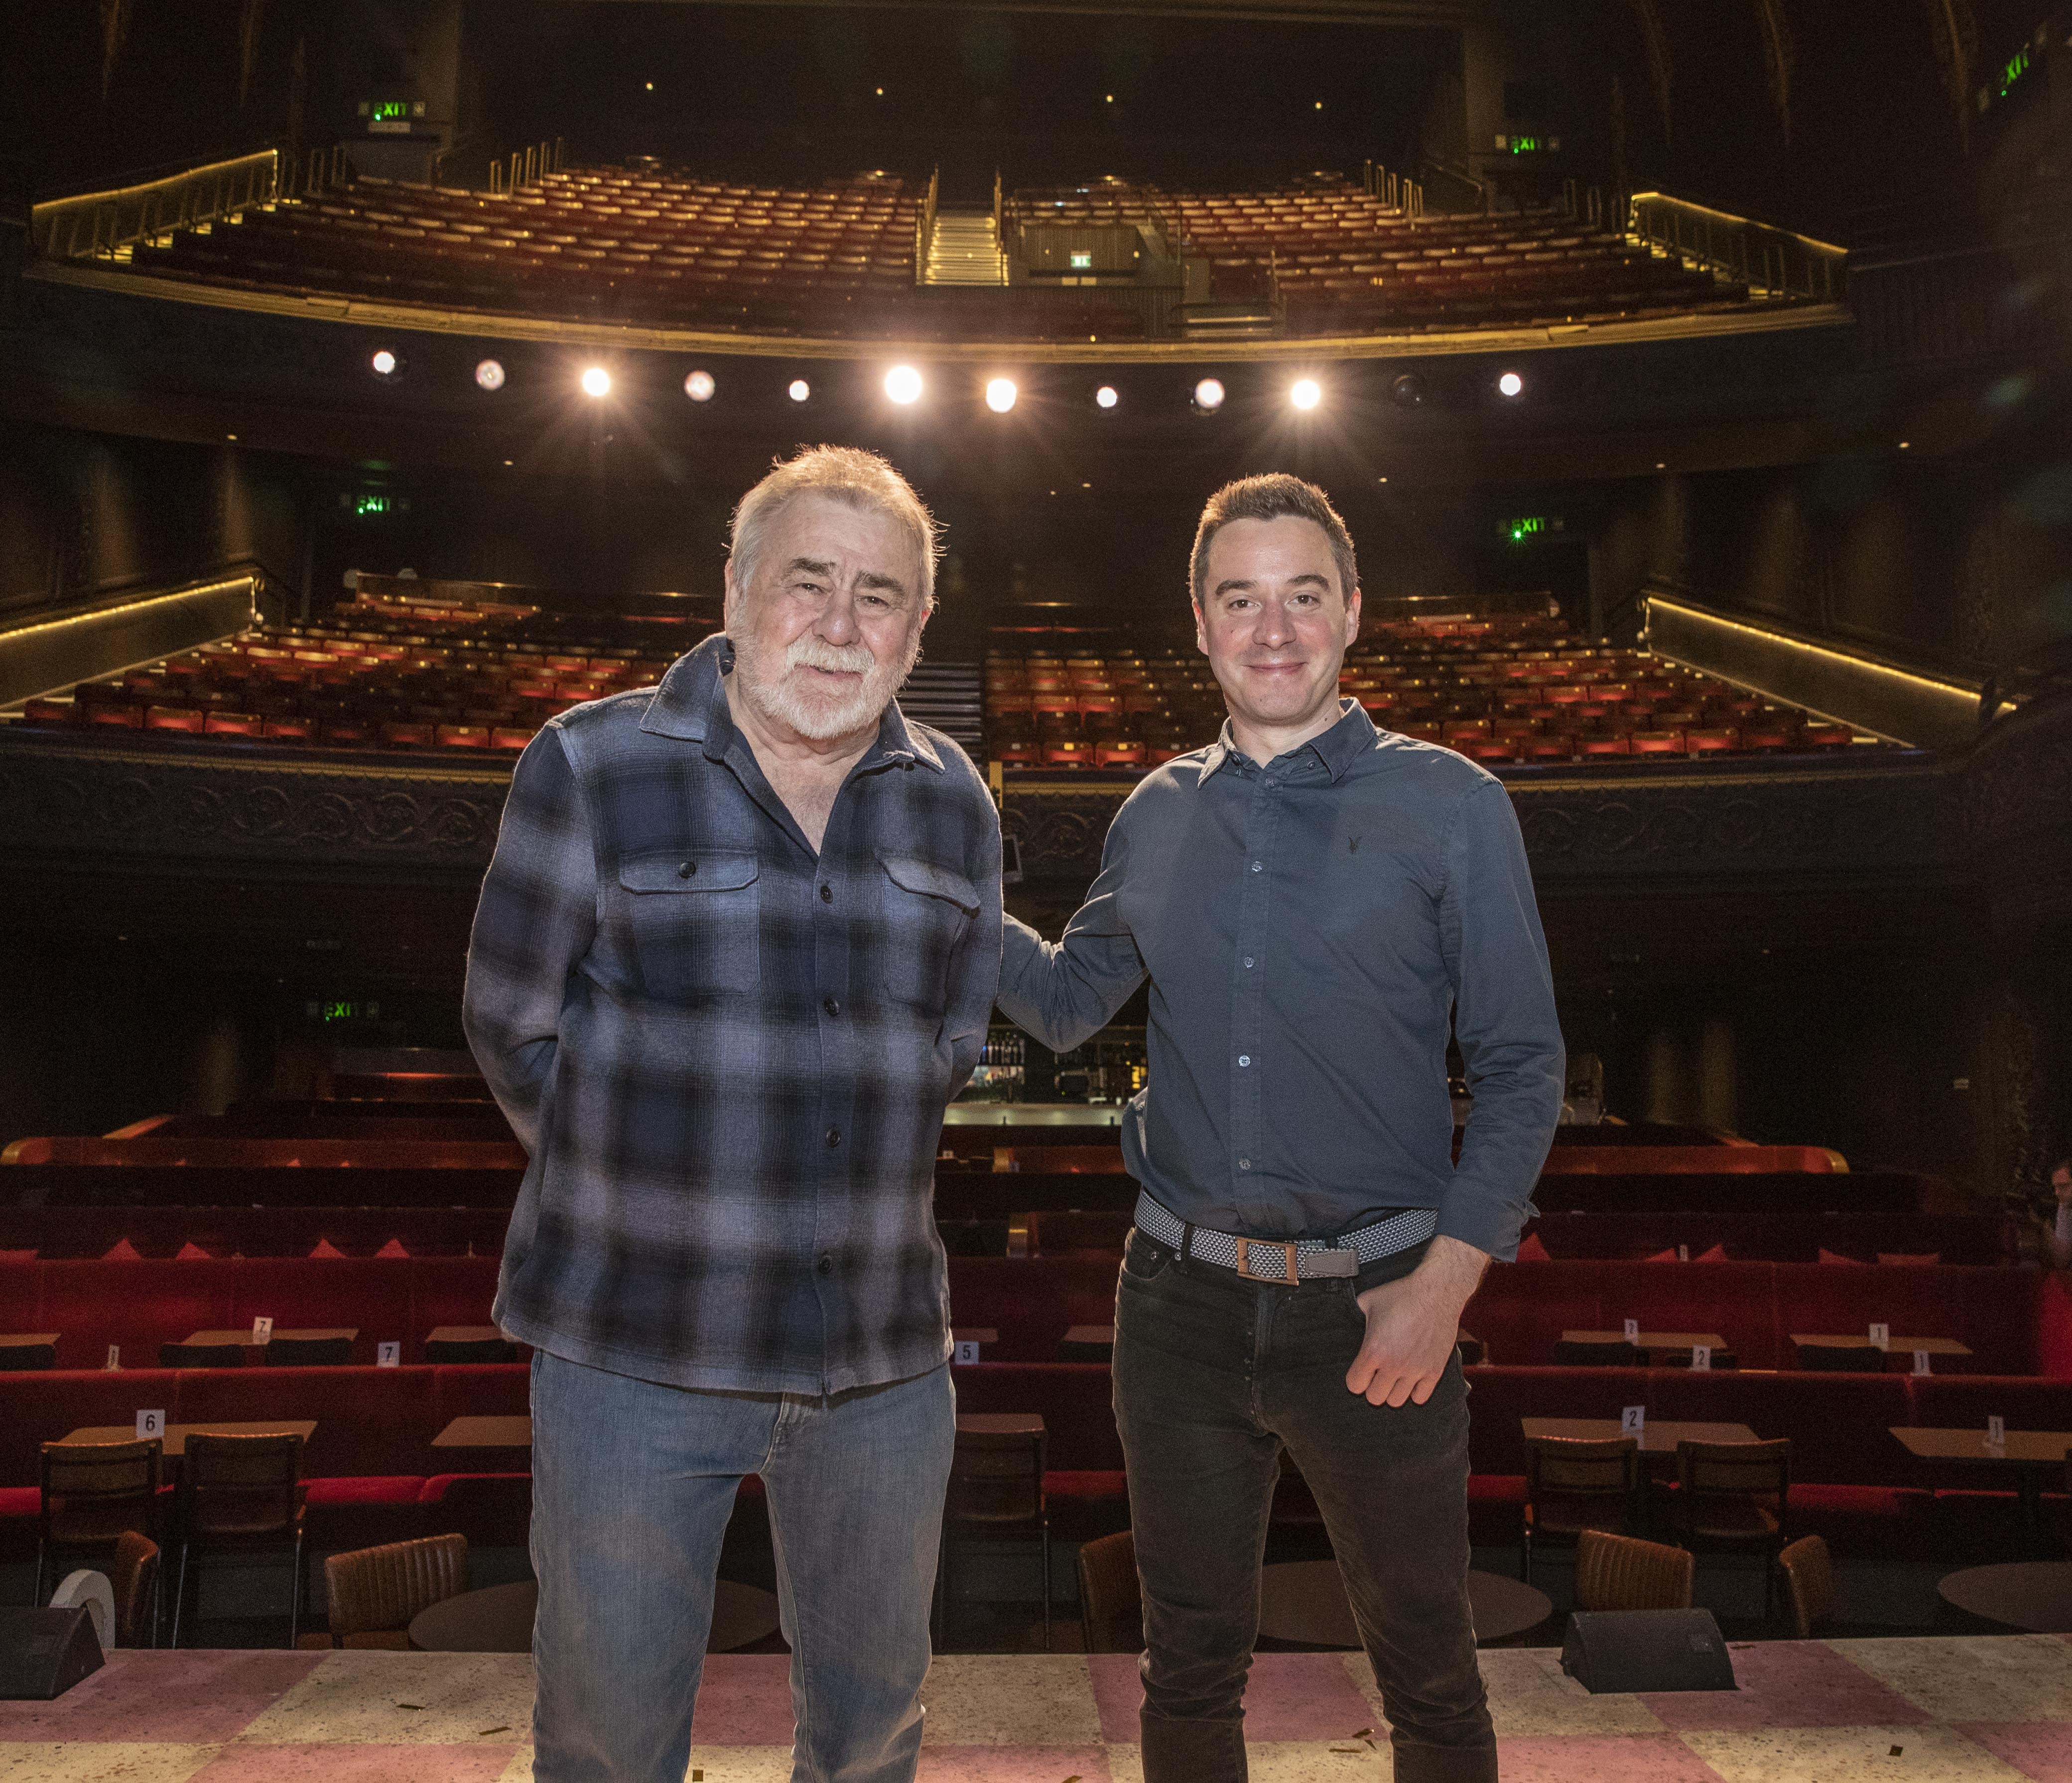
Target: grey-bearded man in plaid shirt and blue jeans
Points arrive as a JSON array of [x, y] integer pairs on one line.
[[732, 959]]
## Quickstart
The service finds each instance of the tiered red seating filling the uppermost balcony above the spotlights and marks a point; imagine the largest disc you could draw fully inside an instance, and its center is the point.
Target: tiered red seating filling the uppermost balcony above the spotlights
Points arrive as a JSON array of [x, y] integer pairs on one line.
[[842, 260]]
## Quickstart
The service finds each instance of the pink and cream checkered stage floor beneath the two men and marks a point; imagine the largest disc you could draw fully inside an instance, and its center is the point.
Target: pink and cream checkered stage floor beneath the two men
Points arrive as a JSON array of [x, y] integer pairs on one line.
[[1845, 1711]]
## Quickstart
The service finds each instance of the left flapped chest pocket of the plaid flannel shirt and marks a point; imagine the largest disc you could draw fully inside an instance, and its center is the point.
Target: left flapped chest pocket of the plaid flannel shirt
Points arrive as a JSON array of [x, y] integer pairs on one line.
[[697, 922]]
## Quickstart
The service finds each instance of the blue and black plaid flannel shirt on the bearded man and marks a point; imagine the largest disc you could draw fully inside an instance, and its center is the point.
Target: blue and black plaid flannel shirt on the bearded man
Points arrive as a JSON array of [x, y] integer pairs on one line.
[[730, 1056]]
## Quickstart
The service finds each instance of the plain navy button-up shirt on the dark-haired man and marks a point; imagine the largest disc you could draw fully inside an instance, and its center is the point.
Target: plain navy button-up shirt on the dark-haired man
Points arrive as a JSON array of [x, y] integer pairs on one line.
[[1308, 930]]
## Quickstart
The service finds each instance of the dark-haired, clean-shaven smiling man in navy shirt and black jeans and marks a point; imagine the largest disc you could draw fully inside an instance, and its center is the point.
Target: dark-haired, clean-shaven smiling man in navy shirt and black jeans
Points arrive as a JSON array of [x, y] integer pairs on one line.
[[1313, 903]]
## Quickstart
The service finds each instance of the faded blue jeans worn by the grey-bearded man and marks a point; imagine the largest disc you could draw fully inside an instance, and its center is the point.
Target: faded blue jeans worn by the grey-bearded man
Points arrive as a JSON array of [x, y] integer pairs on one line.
[[633, 1485]]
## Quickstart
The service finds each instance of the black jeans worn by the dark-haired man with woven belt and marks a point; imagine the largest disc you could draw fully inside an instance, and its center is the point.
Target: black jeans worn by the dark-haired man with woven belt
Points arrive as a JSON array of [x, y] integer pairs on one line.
[[1213, 1376]]
